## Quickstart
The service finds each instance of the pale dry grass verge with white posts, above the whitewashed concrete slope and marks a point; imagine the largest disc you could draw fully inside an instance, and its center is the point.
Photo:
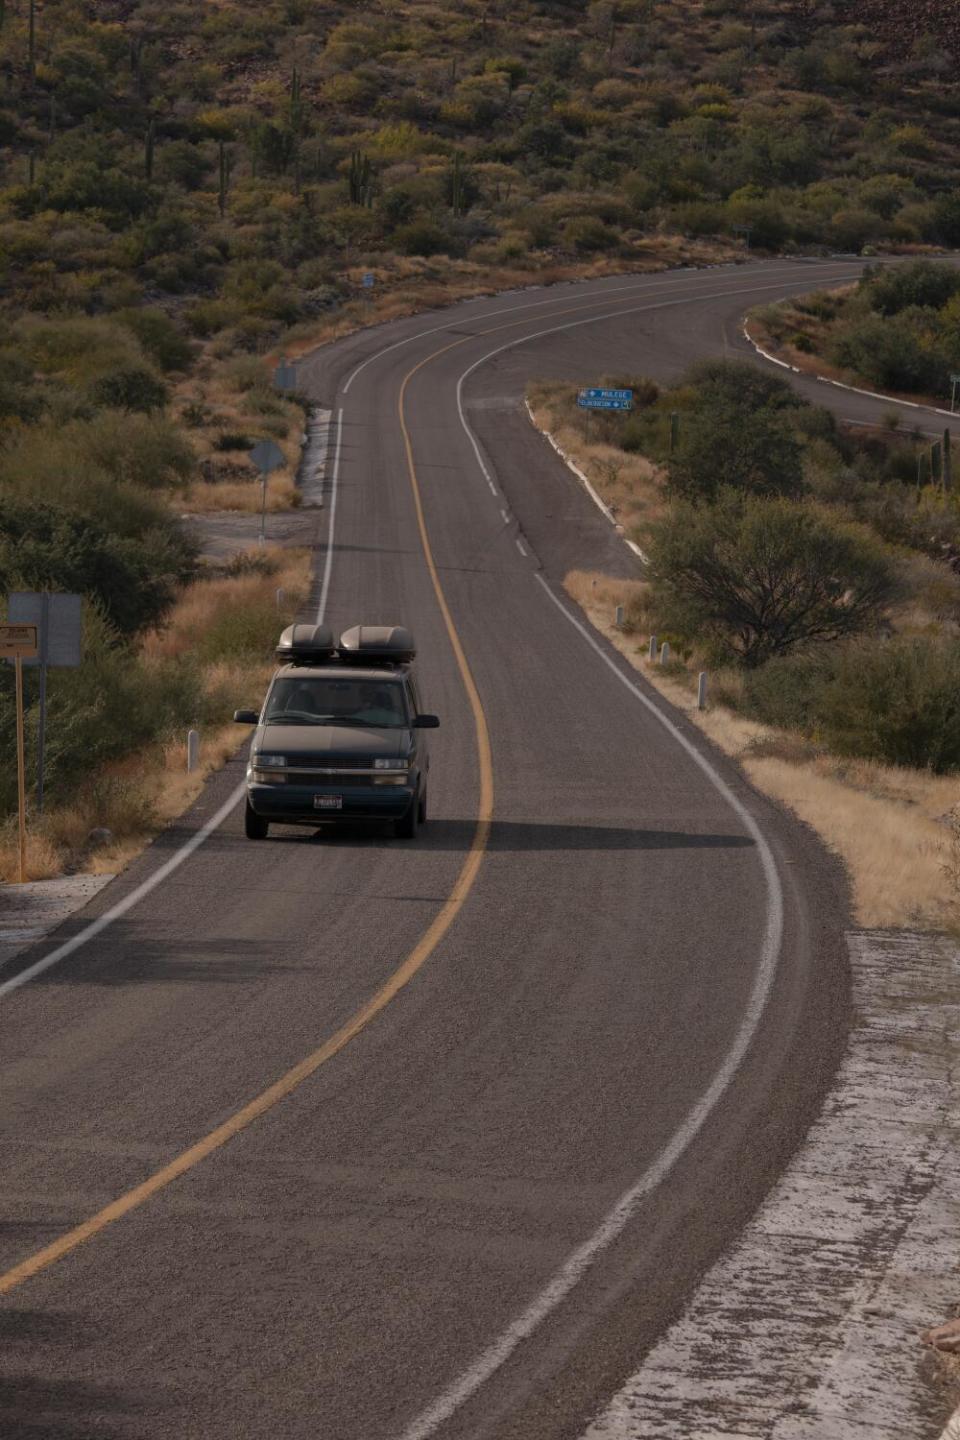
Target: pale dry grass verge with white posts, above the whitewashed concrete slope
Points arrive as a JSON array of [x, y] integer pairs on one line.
[[889, 826]]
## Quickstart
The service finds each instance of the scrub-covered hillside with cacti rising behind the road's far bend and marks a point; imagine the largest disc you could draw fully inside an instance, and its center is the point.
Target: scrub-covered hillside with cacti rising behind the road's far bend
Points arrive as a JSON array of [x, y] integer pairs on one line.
[[235, 163]]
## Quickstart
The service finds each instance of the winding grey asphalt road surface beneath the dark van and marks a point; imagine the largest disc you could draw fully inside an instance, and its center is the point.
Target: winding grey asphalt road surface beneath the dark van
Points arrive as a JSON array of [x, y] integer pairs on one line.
[[608, 981]]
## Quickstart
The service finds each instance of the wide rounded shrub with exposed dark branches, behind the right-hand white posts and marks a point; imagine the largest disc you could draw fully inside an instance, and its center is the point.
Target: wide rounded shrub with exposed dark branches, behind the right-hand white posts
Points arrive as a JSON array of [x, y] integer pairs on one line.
[[762, 578]]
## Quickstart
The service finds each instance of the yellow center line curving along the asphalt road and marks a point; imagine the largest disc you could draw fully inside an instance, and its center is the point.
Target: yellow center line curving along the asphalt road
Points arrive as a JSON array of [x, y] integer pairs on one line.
[[405, 973]]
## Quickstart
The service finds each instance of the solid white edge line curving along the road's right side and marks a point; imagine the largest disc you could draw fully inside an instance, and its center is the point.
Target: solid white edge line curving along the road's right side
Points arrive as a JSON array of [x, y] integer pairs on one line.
[[618, 1219]]
